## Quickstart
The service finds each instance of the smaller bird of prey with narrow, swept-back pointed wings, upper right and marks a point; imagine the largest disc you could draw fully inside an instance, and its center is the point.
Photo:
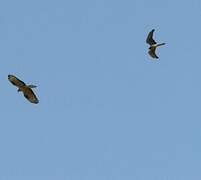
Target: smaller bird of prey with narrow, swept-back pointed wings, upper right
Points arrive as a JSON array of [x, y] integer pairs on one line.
[[153, 44]]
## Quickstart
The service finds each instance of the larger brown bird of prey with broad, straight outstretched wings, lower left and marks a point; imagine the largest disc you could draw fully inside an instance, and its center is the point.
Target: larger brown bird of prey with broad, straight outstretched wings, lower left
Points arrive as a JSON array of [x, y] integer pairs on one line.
[[26, 89]]
